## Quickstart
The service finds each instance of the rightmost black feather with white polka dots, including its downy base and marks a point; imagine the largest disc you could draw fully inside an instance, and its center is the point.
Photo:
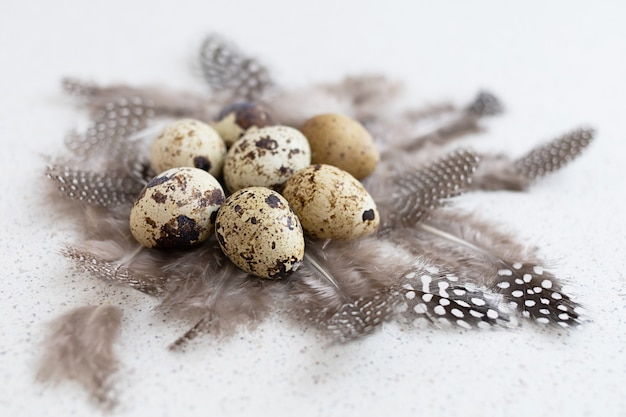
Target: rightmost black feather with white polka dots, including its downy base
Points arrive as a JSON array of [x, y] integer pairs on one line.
[[503, 266]]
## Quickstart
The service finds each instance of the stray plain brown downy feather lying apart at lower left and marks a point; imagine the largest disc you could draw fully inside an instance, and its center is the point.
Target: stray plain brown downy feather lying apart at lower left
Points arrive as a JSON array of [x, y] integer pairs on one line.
[[79, 347]]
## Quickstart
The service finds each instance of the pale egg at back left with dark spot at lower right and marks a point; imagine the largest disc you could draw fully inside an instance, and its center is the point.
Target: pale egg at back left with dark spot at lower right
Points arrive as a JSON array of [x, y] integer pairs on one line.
[[188, 143]]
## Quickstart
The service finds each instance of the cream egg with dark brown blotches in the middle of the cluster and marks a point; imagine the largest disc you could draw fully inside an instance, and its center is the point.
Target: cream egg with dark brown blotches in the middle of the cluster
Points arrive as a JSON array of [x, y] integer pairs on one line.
[[266, 157]]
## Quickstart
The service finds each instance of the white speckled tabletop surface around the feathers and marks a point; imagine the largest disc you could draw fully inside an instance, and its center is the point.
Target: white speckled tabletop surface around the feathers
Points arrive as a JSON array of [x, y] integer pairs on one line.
[[555, 65]]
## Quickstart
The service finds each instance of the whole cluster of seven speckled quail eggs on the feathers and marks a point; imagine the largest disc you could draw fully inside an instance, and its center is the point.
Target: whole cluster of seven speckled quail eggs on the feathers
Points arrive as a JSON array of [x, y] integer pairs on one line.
[[259, 187]]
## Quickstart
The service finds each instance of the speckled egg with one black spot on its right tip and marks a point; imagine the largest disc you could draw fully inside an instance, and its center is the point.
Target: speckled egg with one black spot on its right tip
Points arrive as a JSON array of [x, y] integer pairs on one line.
[[331, 204]]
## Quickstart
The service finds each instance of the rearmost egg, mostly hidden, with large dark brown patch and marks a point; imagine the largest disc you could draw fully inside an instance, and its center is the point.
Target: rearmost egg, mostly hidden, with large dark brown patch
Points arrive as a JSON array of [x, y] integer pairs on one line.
[[234, 120]]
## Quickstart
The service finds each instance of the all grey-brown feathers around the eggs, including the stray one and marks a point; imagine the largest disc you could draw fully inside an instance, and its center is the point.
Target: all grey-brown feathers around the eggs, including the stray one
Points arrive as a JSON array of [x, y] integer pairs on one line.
[[427, 262]]
